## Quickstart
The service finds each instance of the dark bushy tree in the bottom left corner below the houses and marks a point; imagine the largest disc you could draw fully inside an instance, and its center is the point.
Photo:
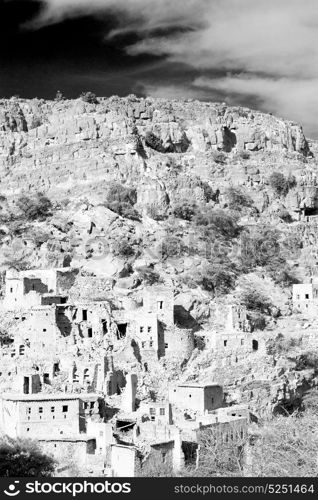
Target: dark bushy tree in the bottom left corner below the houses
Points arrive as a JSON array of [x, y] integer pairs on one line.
[[23, 458]]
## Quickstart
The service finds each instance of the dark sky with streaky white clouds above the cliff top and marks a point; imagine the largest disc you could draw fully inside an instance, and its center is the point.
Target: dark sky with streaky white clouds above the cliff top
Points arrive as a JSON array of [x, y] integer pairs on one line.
[[259, 54]]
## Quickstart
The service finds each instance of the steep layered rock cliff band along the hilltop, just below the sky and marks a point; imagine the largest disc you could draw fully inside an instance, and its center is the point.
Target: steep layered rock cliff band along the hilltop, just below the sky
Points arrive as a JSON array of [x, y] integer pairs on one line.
[[73, 145]]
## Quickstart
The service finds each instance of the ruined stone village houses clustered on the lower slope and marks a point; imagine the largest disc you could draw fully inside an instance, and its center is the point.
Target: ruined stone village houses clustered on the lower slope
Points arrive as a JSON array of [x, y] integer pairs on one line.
[[71, 372]]
